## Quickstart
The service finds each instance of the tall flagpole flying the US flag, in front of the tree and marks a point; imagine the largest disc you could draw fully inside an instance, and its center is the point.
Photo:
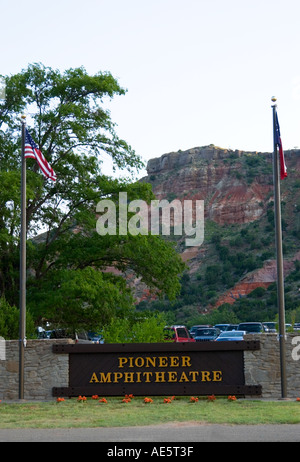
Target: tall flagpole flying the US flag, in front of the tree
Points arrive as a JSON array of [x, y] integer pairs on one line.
[[22, 325]]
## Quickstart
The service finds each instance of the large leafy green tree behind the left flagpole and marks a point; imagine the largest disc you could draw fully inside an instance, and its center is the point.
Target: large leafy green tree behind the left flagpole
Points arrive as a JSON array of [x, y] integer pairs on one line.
[[68, 278]]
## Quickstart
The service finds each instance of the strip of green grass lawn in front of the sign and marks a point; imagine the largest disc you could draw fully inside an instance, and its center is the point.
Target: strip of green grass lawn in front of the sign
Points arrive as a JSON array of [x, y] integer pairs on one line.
[[115, 413]]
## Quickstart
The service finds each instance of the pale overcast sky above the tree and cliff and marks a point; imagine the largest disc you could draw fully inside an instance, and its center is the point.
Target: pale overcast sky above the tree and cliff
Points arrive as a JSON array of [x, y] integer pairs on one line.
[[197, 71]]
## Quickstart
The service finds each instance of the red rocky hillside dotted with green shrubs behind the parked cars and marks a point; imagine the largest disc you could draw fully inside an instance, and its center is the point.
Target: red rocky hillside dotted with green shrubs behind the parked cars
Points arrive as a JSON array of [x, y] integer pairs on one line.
[[238, 253]]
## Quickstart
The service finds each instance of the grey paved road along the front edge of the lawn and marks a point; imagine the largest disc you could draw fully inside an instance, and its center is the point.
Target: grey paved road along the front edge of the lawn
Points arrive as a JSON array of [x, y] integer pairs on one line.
[[175, 433]]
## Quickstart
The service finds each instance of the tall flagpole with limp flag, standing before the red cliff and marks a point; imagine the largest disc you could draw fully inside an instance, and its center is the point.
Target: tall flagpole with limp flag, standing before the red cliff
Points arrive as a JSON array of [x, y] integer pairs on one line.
[[279, 258]]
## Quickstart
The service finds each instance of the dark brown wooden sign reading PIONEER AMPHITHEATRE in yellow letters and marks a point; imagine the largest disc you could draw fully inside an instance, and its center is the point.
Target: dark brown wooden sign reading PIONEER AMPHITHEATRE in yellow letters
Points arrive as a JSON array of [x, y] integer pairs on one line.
[[156, 369]]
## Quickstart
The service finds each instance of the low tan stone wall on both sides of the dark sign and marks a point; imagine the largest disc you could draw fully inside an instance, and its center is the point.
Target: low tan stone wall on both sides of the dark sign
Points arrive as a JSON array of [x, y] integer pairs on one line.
[[45, 370]]
